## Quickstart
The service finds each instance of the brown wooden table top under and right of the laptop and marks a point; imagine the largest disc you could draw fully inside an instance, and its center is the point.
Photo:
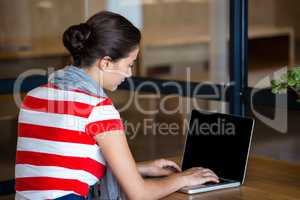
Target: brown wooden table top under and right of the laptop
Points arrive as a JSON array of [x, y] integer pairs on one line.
[[265, 179]]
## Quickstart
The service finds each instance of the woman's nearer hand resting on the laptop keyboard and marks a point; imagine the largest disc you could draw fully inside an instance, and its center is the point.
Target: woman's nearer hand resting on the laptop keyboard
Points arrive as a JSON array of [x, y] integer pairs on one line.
[[198, 176]]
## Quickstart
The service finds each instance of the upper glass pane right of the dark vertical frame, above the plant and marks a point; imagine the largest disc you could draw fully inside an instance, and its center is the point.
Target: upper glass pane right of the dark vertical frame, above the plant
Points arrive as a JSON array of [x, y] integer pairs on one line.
[[272, 37]]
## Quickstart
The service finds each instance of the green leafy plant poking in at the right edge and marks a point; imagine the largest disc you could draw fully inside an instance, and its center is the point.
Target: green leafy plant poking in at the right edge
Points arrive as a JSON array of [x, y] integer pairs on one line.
[[289, 80]]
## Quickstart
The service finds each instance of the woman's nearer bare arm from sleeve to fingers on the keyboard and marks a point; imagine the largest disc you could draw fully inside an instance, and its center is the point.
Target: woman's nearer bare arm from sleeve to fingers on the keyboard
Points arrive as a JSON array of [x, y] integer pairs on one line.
[[116, 151]]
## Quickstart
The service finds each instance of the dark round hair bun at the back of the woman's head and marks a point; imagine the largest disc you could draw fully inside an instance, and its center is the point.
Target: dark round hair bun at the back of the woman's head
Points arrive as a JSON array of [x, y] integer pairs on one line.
[[75, 37]]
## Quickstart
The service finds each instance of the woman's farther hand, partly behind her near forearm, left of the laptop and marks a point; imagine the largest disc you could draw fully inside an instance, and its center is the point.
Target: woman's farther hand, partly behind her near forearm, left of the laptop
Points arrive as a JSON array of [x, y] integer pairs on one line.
[[159, 167]]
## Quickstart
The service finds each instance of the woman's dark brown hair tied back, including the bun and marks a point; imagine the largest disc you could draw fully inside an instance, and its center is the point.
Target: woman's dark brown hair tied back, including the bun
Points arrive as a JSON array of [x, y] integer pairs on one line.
[[104, 34]]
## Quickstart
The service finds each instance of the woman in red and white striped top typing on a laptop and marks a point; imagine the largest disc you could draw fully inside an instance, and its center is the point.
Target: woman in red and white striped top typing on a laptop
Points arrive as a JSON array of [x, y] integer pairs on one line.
[[69, 130]]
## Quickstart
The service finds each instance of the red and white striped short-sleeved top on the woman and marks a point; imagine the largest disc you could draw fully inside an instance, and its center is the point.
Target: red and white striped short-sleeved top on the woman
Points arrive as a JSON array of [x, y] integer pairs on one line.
[[56, 152]]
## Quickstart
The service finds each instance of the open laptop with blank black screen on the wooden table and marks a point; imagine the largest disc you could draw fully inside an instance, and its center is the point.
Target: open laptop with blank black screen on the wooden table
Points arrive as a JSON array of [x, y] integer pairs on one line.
[[220, 142]]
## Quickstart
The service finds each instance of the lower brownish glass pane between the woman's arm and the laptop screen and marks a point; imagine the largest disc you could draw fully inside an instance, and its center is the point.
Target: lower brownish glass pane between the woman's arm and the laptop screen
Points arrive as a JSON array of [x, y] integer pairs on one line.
[[155, 124]]
